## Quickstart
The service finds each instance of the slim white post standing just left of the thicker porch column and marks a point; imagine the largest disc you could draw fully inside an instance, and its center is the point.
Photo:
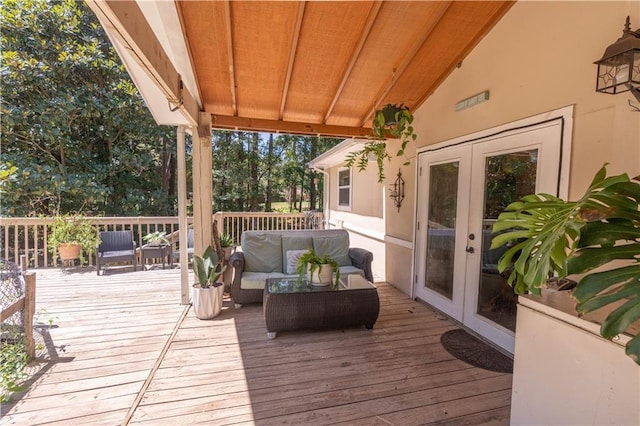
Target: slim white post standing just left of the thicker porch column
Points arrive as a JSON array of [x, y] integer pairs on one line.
[[182, 214]]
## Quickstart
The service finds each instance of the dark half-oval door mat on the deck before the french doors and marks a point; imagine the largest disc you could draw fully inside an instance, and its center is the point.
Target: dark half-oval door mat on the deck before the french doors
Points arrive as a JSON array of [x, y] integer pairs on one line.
[[474, 351]]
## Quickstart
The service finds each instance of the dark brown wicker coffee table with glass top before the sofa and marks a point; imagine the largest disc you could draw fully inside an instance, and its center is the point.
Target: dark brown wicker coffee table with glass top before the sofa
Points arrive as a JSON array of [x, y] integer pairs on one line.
[[292, 305]]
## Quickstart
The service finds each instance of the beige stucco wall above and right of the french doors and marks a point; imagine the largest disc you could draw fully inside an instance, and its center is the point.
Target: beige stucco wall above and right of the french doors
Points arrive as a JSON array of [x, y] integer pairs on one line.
[[538, 58]]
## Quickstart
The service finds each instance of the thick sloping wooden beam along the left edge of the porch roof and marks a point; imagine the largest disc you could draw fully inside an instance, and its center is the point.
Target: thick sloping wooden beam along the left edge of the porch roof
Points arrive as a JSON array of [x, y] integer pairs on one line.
[[129, 25]]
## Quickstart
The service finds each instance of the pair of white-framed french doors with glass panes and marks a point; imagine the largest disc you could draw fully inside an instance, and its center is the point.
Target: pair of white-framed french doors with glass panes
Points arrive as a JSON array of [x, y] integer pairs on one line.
[[461, 191]]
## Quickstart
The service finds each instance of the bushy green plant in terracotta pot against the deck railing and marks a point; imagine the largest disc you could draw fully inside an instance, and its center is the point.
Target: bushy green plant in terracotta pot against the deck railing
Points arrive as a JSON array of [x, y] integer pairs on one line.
[[72, 236]]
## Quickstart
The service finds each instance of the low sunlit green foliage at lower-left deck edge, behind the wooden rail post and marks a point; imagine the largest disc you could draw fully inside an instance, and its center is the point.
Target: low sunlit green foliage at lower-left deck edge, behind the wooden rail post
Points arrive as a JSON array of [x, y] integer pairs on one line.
[[13, 363]]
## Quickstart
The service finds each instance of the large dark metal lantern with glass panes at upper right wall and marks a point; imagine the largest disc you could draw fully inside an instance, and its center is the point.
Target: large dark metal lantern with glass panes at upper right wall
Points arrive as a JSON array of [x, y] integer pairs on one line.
[[619, 67]]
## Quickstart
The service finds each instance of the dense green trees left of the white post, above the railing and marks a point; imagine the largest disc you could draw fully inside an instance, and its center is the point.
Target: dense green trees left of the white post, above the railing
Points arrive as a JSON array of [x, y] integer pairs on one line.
[[73, 124]]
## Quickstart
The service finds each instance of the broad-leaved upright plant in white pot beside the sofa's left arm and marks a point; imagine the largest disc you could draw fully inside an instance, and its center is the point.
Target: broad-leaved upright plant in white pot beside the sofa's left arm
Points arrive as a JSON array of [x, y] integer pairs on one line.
[[207, 291]]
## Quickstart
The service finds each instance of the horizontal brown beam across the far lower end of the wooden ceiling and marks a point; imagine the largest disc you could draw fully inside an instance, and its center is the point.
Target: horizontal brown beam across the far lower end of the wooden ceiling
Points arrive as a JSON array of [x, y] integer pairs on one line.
[[277, 126]]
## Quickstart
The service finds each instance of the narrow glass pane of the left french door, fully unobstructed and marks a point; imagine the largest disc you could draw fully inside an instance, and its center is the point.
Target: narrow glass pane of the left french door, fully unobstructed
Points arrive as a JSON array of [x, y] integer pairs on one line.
[[441, 232]]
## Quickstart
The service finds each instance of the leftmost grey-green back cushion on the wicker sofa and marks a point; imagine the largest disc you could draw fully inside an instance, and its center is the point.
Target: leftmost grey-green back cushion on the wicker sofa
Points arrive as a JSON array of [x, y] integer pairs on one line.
[[262, 251]]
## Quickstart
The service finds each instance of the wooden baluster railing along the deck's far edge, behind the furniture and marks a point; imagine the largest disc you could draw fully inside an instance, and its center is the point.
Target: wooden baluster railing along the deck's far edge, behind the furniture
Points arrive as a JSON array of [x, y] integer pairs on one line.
[[29, 236]]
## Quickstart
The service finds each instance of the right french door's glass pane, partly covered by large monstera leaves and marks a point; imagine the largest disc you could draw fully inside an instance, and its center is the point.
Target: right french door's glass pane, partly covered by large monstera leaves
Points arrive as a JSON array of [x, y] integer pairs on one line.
[[508, 177]]
